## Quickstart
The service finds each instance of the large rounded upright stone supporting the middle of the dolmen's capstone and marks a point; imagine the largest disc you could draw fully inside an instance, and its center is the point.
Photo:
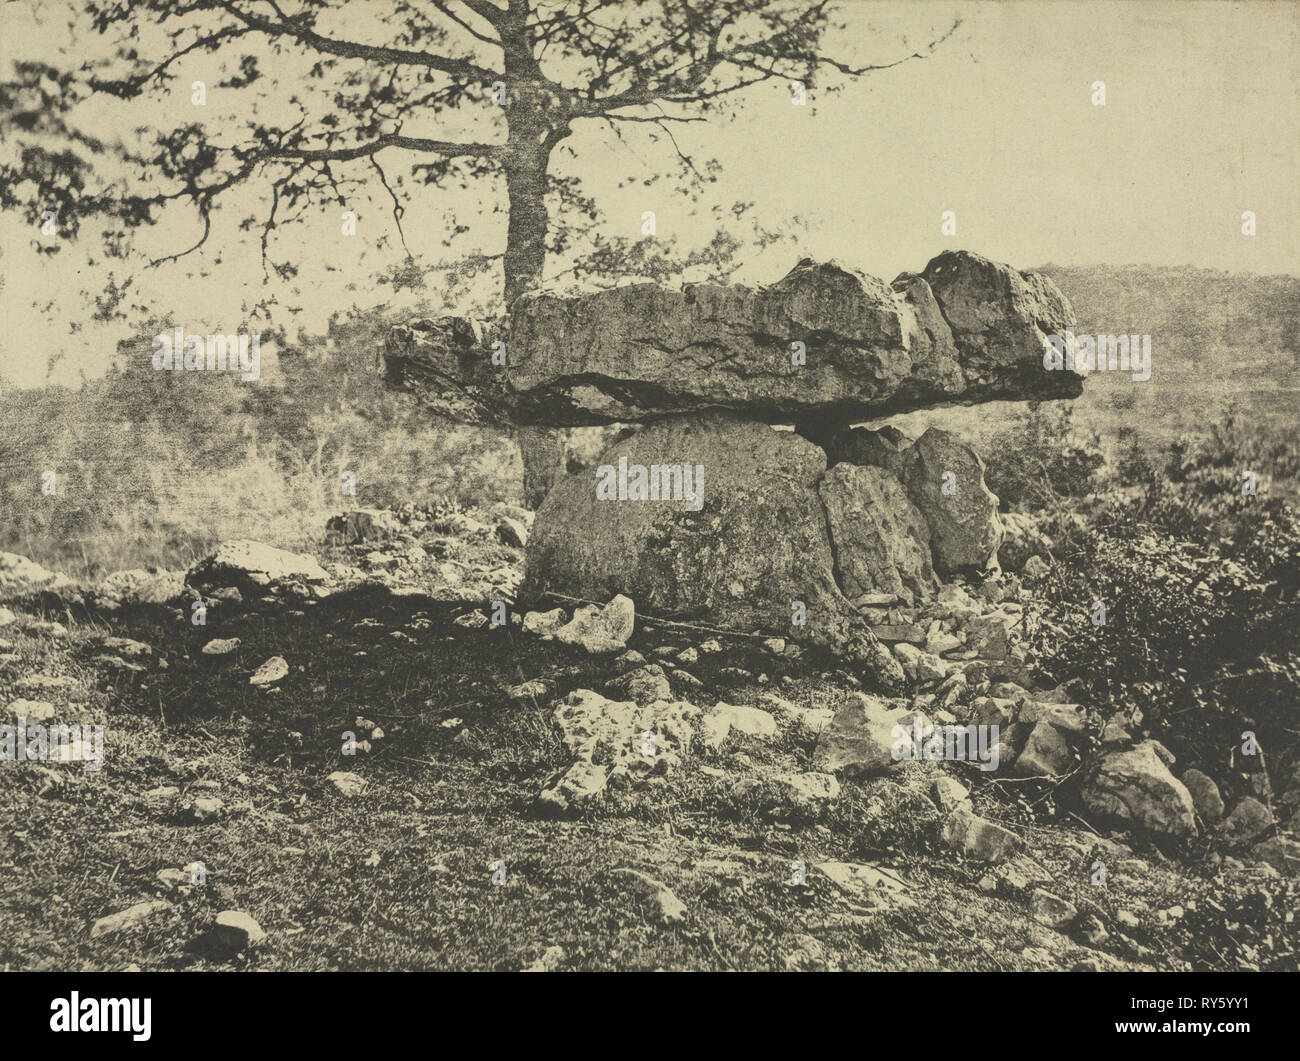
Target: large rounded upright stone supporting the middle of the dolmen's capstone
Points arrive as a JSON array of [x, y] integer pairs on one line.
[[757, 544]]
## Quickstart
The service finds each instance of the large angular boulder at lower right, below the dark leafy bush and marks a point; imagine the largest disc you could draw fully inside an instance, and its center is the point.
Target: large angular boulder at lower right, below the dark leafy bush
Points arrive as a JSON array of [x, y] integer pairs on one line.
[[1137, 789]]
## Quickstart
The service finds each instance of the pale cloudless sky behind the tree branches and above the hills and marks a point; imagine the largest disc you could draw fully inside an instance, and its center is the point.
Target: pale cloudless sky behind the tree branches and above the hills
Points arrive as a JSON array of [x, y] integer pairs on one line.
[[999, 125]]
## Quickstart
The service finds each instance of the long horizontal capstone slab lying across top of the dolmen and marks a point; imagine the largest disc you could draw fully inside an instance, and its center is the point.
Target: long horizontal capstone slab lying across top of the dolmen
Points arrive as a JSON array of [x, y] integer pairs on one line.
[[642, 352]]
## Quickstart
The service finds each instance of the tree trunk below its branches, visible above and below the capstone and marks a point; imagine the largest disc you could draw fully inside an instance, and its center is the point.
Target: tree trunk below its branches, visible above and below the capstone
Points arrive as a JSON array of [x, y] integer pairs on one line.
[[541, 449]]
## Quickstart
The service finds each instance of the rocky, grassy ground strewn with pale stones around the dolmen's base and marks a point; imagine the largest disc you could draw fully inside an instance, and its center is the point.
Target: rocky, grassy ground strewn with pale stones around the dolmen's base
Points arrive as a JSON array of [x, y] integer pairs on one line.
[[375, 774]]
